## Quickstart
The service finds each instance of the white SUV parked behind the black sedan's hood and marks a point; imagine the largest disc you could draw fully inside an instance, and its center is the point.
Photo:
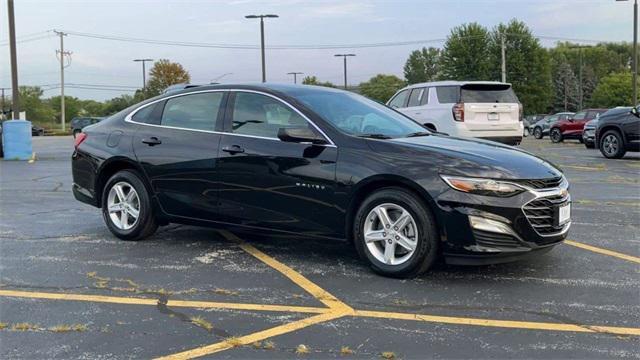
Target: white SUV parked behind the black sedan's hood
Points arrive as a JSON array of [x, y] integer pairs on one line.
[[481, 109]]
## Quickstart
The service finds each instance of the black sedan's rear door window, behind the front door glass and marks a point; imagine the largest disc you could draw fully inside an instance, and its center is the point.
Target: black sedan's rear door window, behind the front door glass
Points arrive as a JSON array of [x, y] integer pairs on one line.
[[195, 111]]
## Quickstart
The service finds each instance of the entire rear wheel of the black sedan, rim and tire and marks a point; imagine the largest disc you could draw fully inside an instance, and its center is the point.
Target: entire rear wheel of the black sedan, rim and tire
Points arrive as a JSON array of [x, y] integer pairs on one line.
[[126, 207]]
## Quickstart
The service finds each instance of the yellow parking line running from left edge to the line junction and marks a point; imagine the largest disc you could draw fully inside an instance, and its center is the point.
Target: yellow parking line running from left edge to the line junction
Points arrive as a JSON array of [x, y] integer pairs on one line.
[[154, 302]]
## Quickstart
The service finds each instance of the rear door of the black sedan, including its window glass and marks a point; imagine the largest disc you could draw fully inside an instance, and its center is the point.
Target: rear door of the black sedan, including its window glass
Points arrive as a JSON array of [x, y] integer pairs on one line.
[[177, 145]]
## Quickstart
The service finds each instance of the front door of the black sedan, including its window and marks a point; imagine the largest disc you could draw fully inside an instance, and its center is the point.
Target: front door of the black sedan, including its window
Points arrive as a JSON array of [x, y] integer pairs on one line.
[[269, 183]]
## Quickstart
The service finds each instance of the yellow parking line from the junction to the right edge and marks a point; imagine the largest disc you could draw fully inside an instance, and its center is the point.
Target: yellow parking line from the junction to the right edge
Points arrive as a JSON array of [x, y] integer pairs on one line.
[[529, 325]]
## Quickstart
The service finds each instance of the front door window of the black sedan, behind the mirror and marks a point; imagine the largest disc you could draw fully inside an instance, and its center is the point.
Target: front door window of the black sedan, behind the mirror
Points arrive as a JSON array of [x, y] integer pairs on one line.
[[260, 115]]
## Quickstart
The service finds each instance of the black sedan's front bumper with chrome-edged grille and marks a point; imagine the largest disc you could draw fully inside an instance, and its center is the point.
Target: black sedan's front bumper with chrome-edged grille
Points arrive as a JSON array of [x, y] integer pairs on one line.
[[484, 230]]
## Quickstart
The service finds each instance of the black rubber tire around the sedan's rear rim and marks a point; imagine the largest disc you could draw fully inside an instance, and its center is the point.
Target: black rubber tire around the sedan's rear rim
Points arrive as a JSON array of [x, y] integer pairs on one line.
[[146, 223]]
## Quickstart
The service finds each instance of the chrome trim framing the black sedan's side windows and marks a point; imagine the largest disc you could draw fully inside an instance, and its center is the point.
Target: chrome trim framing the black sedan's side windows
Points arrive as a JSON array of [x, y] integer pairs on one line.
[[129, 116]]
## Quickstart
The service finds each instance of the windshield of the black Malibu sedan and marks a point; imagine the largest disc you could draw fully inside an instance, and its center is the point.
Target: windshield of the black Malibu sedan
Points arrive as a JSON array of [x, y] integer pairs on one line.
[[359, 116]]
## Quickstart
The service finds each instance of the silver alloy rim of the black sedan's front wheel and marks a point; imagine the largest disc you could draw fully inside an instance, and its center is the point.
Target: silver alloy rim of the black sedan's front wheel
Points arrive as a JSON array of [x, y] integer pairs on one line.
[[390, 234]]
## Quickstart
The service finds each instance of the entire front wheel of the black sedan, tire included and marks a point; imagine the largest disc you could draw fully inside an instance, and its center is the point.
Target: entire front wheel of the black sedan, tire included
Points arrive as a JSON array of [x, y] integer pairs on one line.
[[396, 233]]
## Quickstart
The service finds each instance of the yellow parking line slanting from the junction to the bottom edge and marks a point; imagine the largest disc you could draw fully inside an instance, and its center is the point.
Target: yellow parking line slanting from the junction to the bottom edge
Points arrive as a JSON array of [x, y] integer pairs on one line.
[[257, 336]]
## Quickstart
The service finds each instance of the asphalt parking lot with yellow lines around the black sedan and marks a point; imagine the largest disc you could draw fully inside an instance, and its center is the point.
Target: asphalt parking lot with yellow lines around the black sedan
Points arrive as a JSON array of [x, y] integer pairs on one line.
[[69, 289]]
